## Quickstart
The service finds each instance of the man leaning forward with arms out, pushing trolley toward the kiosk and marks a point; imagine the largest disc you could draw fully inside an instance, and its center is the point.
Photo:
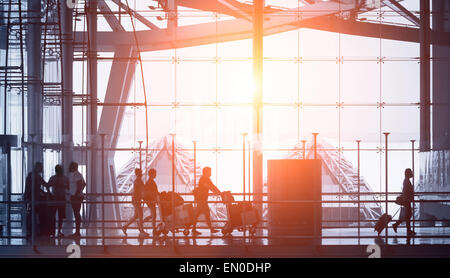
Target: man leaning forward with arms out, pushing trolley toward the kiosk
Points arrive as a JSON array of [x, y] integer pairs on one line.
[[201, 198]]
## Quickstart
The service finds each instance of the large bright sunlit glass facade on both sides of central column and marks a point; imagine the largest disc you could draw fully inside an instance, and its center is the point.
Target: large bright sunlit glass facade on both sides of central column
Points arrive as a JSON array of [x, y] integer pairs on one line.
[[344, 87]]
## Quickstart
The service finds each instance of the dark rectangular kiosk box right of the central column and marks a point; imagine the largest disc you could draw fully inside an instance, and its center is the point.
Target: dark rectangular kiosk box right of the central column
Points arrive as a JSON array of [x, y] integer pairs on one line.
[[290, 181]]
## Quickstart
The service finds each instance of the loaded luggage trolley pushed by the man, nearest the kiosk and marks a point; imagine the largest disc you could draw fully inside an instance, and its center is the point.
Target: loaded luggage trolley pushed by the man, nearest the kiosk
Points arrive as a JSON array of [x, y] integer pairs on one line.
[[241, 215]]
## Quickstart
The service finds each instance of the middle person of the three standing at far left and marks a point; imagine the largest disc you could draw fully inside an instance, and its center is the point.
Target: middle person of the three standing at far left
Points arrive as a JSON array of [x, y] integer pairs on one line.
[[59, 184]]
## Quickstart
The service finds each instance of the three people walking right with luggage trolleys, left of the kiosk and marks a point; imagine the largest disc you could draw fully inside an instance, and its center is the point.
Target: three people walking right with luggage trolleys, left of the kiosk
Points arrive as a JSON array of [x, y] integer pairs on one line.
[[147, 193]]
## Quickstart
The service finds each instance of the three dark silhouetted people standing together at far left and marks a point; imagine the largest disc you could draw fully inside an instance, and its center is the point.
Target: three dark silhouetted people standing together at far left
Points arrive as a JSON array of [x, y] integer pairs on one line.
[[50, 199]]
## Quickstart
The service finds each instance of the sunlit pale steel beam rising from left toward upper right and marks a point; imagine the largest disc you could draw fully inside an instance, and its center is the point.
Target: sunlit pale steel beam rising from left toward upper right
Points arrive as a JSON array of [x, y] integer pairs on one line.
[[207, 33]]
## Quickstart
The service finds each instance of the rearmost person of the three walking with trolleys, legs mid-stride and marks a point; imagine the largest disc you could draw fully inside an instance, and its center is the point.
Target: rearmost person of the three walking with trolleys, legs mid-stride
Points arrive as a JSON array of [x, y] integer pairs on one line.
[[138, 188]]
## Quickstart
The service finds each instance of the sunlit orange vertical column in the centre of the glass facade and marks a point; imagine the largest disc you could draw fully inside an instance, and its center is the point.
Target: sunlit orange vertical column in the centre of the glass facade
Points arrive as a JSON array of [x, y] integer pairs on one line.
[[258, 33]]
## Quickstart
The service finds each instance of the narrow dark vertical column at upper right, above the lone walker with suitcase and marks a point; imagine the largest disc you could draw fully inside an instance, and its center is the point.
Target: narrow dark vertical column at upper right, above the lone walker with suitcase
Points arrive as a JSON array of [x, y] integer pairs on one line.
[[425, 123]]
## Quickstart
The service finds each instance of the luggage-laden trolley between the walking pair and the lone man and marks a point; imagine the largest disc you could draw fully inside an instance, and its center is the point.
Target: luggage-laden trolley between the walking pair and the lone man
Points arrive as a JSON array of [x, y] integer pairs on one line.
[[181, 218]]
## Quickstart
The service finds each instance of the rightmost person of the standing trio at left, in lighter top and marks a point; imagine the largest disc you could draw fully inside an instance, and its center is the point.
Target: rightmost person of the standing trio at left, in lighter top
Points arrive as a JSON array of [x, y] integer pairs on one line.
[[76, 187]]
